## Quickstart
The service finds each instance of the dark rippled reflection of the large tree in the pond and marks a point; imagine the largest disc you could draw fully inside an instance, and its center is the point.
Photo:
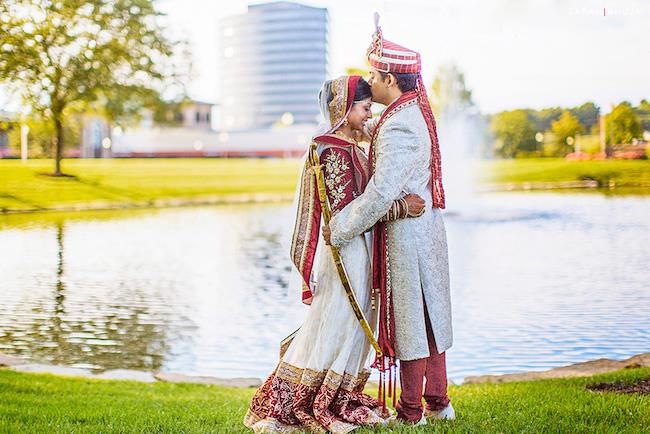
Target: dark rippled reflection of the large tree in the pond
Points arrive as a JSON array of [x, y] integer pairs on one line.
[[75, 330]]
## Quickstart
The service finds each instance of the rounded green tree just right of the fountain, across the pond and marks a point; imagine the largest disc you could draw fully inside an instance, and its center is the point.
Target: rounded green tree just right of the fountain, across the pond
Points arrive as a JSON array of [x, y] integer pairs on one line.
[[514, 131]]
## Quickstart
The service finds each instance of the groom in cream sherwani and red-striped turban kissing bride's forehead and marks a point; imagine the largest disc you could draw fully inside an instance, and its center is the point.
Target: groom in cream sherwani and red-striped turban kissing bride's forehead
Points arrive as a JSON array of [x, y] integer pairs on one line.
[[410, 265]]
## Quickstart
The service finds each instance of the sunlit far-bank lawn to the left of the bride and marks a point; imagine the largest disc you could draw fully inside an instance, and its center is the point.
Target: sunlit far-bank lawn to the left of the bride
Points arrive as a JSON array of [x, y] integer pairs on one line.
[[106, 182]]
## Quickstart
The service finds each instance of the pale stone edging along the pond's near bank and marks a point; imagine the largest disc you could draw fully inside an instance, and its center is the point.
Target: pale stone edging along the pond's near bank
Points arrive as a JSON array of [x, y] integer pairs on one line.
[[580, 369]]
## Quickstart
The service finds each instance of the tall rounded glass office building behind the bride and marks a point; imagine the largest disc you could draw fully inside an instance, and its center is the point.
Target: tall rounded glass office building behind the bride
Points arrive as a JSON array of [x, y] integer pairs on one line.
[[273, 61]]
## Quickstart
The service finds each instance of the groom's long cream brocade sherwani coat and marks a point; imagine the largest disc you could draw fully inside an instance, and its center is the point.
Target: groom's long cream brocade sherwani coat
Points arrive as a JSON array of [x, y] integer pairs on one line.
[[417, 247]]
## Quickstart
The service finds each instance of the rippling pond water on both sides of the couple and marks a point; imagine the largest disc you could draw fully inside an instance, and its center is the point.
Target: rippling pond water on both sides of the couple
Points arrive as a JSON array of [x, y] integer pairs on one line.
[[538, 280]]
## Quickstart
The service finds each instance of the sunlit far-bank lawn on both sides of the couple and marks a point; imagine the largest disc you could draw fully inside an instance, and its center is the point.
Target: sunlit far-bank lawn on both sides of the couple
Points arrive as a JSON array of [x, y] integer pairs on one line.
[[101, 183]]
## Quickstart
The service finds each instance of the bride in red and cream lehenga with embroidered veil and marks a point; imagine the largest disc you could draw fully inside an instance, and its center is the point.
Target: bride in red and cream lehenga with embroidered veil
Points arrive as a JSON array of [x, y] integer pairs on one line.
[[318, 383]]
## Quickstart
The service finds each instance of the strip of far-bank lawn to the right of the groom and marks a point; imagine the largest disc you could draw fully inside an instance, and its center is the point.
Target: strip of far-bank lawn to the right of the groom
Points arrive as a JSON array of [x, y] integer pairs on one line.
[[624, 173]]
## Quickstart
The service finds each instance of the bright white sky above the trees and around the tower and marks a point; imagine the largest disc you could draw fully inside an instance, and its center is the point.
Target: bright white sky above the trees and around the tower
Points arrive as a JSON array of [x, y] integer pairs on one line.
[[523, 53]]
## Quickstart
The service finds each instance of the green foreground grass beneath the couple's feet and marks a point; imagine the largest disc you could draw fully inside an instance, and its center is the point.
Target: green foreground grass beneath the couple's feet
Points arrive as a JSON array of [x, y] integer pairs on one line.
[[31, 403]]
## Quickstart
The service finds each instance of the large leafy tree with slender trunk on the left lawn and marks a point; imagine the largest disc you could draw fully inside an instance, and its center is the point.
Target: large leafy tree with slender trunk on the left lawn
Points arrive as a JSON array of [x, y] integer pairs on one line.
[[58, 54]]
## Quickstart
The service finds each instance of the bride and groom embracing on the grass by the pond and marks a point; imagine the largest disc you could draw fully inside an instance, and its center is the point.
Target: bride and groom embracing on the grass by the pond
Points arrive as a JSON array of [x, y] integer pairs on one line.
[[387, 226]]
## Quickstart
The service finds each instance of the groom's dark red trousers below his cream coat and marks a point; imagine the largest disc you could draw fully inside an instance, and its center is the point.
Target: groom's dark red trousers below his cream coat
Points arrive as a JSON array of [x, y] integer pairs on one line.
[[412, 376]]
